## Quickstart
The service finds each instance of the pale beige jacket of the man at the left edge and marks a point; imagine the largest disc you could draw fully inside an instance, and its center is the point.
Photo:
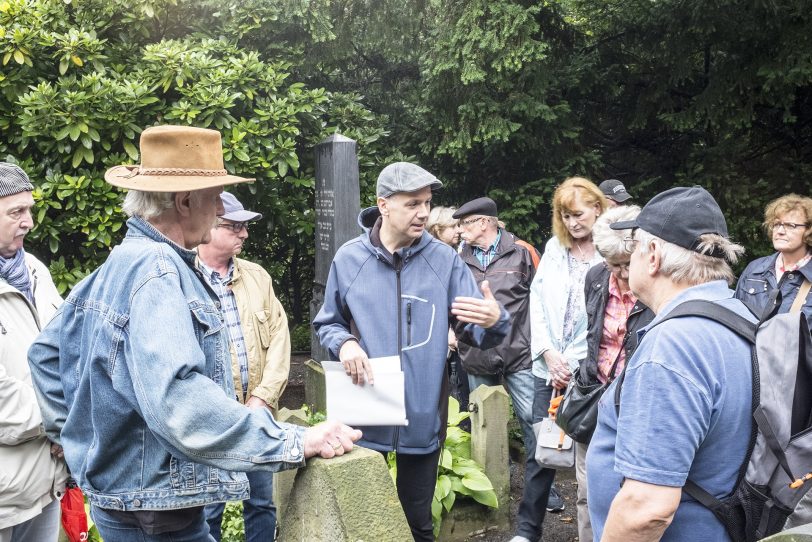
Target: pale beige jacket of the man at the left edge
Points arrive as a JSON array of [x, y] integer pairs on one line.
[[30, 478]]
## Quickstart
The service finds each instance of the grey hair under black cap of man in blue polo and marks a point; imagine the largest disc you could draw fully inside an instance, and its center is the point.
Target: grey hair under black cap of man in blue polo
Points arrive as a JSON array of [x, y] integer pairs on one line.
[[686, 266]]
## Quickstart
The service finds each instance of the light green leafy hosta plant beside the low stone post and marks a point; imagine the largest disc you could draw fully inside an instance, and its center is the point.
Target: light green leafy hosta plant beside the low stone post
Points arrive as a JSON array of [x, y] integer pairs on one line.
[[458, 475]]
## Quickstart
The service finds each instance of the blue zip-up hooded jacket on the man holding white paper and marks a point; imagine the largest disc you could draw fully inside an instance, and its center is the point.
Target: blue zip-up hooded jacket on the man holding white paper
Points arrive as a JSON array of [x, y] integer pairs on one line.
[[401, 304]]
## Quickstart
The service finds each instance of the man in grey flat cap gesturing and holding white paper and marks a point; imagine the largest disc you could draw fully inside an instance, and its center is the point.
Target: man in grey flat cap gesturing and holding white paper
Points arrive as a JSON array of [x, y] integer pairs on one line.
[[392, 291]]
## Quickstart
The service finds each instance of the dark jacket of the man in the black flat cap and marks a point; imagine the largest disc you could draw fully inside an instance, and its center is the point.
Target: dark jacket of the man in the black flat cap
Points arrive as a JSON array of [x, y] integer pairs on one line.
[[509, 274]]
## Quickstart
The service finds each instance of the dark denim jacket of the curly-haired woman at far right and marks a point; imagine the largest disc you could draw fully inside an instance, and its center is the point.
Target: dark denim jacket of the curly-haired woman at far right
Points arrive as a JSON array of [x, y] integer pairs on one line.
[[757, 282]]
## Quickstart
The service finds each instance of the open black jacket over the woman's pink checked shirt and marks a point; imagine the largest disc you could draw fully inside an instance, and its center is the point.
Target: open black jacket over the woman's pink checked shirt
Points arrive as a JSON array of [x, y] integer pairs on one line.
[[596, 294]]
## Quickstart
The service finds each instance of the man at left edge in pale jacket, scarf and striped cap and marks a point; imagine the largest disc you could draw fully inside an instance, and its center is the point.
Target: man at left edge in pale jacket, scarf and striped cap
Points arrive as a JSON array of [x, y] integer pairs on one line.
[[32, 473]]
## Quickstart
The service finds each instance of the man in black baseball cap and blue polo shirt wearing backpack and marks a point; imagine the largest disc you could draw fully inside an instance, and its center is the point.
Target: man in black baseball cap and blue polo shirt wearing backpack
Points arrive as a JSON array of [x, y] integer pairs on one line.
[[685, 394]]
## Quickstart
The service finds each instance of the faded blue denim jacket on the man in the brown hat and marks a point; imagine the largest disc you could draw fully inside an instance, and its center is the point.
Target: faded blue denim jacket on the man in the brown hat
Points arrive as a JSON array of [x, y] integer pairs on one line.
[[133, 379]]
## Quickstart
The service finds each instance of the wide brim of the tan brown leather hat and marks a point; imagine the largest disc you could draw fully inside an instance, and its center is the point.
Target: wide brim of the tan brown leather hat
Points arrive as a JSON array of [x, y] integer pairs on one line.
[[128, 177]]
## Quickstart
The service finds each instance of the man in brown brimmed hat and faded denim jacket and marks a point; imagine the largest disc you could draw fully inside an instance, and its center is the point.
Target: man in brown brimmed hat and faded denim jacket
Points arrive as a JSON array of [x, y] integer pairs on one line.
[[133, 373]]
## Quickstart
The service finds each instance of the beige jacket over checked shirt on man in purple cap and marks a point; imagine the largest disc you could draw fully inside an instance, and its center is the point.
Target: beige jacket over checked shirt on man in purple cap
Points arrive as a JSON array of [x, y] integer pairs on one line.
[[267, 339]]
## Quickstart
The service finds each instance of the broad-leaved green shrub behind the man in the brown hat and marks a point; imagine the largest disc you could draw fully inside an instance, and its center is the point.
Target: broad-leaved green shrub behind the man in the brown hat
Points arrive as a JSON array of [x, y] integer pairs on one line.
[[79, 81]]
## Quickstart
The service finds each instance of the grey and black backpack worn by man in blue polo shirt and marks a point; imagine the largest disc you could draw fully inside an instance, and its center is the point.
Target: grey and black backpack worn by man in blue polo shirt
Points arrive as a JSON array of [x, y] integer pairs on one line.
[[775, 473]]
